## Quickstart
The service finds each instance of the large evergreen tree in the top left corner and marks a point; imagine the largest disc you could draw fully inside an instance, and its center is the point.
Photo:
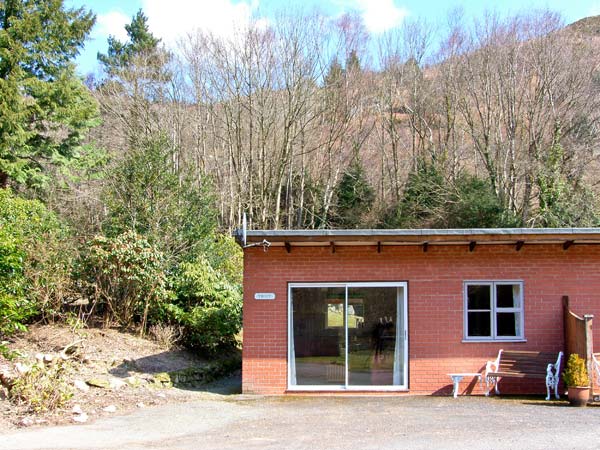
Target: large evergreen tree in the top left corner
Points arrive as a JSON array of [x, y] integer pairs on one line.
[[44, 107]]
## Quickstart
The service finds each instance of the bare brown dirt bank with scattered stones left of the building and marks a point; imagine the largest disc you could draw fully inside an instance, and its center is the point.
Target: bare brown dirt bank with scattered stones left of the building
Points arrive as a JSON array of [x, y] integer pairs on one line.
[[128, 364]]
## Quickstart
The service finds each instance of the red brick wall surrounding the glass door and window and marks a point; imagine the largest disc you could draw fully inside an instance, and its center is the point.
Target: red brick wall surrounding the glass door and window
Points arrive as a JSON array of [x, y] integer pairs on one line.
[[435, 303]]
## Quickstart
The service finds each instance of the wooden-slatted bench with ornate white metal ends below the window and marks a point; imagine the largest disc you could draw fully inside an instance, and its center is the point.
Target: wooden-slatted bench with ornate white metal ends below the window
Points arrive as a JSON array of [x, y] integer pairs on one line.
[[524, 364]]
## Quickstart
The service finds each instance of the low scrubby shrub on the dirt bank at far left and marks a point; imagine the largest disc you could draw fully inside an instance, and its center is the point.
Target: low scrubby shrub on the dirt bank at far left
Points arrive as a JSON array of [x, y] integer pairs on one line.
[[43, 387]]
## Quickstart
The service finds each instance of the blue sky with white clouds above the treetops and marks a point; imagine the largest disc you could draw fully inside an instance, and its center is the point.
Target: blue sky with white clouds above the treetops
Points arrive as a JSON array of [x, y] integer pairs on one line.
[[169, 19]]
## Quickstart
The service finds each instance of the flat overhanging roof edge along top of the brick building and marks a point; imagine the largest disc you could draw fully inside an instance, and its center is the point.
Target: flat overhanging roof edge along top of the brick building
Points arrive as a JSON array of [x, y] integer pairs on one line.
[[379, 237]]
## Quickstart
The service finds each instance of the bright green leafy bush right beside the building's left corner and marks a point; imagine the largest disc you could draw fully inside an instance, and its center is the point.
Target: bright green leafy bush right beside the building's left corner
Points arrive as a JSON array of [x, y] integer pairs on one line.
[[208, 306]]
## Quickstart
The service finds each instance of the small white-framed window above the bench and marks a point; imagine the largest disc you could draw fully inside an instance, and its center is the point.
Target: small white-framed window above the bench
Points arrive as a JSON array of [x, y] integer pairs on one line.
[[493, 311]]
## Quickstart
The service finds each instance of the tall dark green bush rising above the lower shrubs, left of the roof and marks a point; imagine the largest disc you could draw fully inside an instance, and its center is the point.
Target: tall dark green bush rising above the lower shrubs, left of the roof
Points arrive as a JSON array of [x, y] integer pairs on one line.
[[173, 211]]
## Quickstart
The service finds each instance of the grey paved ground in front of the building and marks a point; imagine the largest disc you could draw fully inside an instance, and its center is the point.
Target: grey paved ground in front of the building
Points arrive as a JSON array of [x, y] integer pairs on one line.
[[243, 422]]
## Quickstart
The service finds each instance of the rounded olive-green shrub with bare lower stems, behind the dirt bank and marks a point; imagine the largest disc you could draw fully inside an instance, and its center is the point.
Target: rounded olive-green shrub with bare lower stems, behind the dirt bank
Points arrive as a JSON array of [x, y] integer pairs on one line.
[[127, 273]]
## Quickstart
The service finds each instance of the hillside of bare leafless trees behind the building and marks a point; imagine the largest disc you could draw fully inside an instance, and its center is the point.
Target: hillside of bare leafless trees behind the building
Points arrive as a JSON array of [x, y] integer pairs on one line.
[[310, 123]]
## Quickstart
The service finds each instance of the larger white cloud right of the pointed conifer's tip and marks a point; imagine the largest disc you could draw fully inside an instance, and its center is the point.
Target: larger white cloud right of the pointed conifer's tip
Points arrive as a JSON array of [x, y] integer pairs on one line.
[[169, 20]]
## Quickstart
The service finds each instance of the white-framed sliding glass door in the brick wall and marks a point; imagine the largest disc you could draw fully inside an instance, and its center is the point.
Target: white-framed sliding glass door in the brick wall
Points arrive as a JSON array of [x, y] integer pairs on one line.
[[347, 336]]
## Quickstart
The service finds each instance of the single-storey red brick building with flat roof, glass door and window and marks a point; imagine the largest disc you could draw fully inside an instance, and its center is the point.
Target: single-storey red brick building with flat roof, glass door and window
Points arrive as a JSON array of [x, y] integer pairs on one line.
[[398, 310]]
